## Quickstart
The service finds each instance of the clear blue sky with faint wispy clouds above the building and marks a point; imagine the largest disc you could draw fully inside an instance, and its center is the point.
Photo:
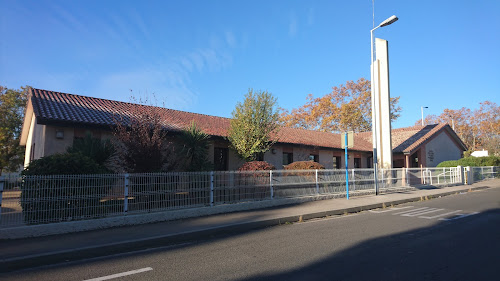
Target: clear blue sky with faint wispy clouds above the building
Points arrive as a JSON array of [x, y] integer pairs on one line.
[[203, 56]]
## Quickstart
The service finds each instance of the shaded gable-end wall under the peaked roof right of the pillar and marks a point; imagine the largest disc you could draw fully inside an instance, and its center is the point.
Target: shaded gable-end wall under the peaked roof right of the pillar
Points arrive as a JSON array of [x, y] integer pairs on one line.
[[441, 148]]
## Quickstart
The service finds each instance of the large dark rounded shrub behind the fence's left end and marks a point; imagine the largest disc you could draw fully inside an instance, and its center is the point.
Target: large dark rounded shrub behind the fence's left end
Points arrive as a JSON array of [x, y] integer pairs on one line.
[[47, 197]]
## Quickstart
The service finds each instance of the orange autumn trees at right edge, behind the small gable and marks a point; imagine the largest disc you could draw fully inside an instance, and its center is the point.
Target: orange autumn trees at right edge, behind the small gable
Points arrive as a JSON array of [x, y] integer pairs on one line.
[[478, 129]]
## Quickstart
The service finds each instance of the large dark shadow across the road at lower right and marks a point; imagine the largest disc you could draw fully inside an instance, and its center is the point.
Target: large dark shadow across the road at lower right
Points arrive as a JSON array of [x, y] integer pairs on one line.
[[442, 252]]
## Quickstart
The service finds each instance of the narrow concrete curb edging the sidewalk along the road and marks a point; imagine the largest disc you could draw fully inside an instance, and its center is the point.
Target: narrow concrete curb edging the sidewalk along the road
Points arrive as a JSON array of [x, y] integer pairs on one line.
[[18, 263]]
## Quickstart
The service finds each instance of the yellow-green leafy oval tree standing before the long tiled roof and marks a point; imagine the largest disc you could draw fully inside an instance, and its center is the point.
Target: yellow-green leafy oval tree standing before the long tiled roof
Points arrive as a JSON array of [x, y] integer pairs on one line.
[[254, 122]]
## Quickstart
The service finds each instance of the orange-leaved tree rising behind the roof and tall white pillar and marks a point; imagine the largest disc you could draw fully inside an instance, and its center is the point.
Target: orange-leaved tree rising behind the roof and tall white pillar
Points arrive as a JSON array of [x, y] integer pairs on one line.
[[346, 108]]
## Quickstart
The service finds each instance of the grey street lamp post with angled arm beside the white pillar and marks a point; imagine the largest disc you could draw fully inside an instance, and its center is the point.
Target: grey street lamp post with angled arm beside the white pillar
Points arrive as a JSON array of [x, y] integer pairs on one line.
[[386, 22]]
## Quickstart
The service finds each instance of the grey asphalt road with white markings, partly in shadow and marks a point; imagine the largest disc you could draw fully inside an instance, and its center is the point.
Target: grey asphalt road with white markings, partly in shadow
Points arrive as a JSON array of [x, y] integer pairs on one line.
[[451, 238]]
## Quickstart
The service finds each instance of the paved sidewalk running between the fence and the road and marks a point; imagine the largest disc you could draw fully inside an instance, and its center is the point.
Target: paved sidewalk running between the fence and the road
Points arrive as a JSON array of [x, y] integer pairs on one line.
[[30, 252]]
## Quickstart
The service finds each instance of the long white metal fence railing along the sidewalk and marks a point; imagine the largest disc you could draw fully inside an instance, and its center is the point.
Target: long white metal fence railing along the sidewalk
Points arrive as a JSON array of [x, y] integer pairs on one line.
[[51, 199]]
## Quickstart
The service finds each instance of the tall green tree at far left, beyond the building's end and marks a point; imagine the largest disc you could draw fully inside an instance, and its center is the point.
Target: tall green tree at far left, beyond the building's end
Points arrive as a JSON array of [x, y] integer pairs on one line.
[[12, 105]]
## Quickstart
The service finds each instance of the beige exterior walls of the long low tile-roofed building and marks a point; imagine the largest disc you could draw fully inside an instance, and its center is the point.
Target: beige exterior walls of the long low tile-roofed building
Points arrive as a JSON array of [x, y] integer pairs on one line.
[[441, 148]]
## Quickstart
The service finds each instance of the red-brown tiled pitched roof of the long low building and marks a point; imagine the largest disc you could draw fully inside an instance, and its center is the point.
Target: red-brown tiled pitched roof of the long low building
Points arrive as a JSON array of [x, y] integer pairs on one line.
[[56, 107]]
